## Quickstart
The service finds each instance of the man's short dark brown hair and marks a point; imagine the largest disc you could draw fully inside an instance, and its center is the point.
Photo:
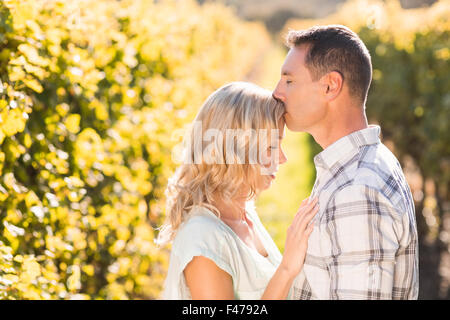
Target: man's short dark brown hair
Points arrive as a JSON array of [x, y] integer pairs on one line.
[[336, 48]]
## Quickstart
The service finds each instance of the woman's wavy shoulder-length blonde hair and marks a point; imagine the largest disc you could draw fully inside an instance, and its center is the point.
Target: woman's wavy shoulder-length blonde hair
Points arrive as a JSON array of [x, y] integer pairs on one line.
[[236, 106]]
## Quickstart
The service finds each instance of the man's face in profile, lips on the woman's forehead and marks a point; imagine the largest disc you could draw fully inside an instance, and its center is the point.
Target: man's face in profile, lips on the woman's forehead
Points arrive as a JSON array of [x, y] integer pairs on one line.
[[303, 97]]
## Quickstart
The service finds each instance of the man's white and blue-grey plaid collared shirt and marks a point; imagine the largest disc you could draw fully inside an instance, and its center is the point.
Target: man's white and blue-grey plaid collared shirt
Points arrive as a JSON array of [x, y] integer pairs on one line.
[[364, 243]]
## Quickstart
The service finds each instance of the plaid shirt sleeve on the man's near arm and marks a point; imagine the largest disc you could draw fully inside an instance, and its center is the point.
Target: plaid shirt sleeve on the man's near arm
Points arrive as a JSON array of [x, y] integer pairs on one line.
[[362, 228]]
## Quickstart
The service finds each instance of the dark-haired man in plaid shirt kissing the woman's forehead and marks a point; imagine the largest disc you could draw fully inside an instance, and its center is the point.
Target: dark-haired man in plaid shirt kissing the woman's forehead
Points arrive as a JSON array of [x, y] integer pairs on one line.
[[364, 243]]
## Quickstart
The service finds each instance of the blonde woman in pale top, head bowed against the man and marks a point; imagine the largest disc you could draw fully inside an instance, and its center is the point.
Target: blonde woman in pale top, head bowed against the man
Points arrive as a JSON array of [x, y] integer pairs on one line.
[[220, 248]]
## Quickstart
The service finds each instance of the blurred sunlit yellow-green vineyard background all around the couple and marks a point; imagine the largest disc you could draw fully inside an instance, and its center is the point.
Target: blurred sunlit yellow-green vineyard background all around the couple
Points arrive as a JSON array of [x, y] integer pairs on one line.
[[93, 95]]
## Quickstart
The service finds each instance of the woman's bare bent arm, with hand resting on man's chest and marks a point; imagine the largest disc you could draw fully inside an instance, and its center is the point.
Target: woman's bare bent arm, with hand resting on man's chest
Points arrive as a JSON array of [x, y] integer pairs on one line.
[[206, 281]]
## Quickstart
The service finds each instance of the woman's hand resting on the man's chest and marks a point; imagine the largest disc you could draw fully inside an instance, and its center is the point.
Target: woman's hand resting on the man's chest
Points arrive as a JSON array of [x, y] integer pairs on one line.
[[297, 237]]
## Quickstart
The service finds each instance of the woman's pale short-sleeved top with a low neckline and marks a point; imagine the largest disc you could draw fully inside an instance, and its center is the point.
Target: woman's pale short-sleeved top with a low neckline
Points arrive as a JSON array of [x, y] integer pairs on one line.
[[204, 234]]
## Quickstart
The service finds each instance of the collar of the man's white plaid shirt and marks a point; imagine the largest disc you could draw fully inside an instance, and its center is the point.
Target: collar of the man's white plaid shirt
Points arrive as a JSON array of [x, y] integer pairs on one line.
[[347, 146]]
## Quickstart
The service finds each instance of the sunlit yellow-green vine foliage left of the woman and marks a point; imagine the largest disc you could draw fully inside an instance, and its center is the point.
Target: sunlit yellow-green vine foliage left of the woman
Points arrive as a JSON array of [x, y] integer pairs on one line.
[[91, 94]]
